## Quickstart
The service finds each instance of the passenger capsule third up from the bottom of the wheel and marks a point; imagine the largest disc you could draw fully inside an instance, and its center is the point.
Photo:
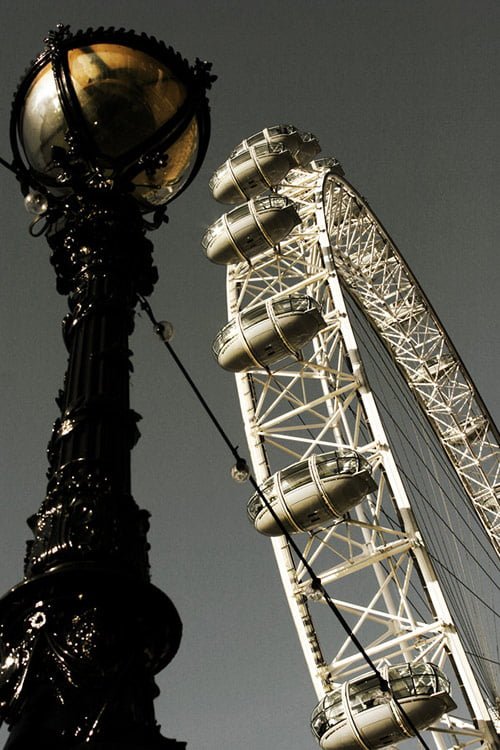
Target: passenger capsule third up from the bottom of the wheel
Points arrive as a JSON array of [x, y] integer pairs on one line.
[[267, 333]]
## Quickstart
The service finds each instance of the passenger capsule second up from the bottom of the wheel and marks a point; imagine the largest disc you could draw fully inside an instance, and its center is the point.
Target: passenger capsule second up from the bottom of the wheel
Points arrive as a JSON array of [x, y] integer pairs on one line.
[[311, 493]]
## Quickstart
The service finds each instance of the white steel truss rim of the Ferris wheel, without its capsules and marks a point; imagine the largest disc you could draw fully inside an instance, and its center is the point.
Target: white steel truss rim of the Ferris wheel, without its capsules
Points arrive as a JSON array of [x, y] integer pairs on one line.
[[374, 562]]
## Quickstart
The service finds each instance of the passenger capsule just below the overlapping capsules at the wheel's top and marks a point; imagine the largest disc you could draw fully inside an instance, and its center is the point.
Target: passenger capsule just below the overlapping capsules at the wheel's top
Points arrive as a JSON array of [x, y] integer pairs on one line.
[[250, 229]]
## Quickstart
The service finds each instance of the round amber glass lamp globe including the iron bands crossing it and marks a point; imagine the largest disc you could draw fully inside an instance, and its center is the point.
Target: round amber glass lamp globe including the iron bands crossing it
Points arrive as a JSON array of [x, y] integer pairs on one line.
[[117, 109]]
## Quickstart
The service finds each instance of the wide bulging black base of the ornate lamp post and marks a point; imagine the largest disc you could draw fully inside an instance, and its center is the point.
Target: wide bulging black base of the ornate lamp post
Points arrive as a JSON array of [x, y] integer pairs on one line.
[[80, 647]]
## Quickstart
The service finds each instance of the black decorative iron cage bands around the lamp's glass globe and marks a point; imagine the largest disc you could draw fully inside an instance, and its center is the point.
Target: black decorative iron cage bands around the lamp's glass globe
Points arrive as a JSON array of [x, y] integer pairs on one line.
[[79, 162]]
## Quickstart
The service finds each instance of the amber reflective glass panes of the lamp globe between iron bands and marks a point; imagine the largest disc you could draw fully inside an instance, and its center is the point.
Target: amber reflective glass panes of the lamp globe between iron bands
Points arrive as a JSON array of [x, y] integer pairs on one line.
[[122, 97]]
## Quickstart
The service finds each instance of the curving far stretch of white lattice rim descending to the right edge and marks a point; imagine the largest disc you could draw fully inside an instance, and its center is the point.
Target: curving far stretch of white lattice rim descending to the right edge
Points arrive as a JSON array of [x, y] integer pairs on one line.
[[377, 276]]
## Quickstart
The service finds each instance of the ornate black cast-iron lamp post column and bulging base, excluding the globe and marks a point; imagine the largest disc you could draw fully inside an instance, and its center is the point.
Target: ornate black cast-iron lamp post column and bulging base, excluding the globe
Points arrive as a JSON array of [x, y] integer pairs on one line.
[[87, 616]]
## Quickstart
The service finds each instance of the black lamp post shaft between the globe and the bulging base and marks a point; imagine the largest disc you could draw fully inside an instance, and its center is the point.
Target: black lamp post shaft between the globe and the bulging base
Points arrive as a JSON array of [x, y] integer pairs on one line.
[[88, 515]]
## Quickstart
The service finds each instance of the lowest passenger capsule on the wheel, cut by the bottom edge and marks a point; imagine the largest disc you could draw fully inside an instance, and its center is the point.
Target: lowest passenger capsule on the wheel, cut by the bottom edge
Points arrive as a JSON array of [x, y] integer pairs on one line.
[[360, 715]]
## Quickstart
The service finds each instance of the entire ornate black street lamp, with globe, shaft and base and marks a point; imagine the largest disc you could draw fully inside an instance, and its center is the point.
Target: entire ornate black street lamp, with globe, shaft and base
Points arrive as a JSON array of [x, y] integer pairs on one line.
[[107, 127]]
